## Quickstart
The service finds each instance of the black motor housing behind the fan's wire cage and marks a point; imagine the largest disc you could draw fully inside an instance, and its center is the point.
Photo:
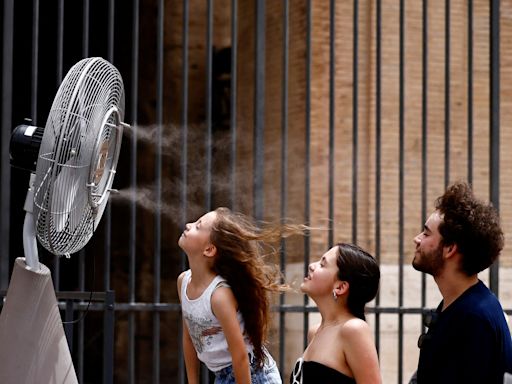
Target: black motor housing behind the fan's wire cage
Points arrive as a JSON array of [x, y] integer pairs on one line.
[[24, 146]]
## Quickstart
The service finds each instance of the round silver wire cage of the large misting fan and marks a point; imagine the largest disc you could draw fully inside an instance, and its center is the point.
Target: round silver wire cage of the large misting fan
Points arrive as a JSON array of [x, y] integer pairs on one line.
[[78, 155]]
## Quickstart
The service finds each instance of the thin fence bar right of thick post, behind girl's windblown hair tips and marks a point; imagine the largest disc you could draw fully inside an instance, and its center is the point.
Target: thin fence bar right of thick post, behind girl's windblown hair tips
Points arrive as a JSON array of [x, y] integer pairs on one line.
[[284, 170]]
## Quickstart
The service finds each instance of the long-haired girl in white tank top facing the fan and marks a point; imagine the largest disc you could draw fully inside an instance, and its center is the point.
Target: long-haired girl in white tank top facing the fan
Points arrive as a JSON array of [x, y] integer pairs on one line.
[[224, 297]]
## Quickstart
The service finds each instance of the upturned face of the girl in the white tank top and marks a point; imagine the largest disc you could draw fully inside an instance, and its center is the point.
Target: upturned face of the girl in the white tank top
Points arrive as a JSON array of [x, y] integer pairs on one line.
[[196, 236]]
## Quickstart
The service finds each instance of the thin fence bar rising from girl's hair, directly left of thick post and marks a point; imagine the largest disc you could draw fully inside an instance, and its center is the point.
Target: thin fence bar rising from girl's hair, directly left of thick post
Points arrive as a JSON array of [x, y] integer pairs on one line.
[[233, 116]]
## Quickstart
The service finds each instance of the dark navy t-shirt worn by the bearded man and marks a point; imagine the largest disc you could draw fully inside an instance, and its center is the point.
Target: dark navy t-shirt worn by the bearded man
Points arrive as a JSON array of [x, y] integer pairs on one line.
[[468, 342]]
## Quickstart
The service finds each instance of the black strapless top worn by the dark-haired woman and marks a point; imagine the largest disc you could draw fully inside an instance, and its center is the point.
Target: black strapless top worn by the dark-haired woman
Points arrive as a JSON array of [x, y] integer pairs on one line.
[[313, 372]]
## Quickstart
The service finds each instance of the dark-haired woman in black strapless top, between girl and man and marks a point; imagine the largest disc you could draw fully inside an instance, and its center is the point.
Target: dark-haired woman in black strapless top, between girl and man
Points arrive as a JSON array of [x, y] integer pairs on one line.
[[341, 349]]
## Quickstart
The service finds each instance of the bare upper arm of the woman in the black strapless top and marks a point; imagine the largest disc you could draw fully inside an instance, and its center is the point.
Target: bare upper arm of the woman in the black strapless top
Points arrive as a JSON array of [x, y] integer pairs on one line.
[[360, 352]]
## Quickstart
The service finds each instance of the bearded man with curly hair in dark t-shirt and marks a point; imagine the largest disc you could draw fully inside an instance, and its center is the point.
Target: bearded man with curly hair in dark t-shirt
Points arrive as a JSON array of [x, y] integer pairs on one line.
[[468, 339]]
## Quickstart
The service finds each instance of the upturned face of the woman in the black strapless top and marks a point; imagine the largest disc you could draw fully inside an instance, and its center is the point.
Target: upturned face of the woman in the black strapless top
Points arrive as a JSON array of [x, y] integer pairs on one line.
[[321, 275]]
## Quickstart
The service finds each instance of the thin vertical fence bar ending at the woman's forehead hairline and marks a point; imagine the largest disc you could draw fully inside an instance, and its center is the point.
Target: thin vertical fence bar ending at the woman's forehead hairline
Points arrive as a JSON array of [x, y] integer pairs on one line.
[[332, 111]]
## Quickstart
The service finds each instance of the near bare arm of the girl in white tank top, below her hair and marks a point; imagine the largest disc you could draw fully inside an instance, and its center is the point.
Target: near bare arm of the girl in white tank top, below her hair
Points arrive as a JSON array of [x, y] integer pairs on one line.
[[224, 308]]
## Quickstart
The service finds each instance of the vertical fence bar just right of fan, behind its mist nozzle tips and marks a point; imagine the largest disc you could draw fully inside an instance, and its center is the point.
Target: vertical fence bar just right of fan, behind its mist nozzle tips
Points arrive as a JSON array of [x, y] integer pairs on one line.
[[132, 245]]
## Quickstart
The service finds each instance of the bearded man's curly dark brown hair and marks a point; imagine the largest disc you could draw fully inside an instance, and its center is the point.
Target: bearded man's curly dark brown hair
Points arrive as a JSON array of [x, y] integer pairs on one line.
[[471, 224]]
